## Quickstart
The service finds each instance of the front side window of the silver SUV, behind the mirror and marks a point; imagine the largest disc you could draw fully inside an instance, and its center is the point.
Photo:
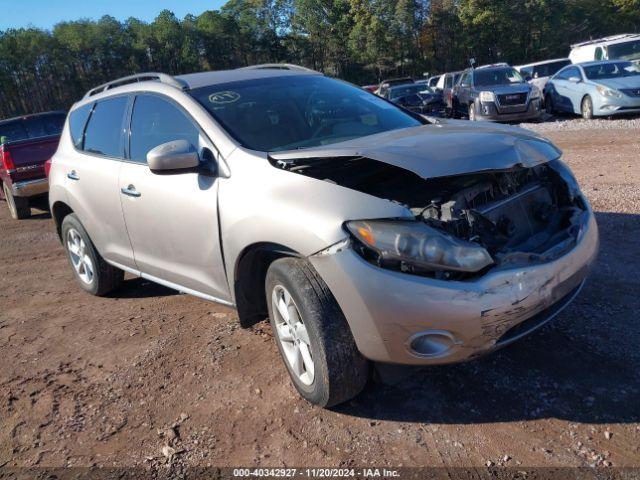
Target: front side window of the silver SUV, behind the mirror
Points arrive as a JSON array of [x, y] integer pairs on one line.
[[156, 121]]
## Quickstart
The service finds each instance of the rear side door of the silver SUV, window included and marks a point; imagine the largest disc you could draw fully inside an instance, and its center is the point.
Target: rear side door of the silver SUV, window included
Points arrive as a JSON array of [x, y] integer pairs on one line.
[[91, 175]]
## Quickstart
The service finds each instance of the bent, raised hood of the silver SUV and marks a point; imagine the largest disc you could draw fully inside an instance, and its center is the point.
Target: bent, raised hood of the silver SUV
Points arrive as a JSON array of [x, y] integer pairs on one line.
[[445, 148]]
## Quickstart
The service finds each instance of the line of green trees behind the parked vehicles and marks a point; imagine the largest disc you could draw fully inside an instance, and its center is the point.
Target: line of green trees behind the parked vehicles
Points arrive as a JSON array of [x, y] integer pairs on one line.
[[359, 40]]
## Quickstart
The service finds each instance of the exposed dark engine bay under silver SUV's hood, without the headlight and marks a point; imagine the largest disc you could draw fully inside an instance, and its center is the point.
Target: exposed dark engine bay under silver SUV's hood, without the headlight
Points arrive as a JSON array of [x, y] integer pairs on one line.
[[521, 215]]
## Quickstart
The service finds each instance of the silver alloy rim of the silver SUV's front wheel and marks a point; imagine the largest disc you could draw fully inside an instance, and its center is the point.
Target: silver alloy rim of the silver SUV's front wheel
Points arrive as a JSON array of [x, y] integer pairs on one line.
[[292, 335]]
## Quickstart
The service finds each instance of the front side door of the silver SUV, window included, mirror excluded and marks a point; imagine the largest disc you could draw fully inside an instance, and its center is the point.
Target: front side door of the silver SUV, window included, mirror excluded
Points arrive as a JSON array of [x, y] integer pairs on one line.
[[172, 218]]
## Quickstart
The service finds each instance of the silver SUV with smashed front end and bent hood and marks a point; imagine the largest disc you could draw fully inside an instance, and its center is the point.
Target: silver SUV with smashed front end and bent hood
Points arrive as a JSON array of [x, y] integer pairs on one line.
[[365, 232]]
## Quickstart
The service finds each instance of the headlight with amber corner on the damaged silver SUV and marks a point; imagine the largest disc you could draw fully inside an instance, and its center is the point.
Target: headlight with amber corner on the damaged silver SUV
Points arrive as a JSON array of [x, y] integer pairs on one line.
[[417, 245]]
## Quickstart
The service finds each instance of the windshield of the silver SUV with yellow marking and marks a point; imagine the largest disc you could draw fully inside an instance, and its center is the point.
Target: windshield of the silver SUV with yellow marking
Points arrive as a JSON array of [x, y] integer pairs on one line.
[[283, 113]]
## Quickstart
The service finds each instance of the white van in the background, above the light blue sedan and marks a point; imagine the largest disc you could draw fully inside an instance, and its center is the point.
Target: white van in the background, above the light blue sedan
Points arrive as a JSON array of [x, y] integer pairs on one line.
[[617, 47]]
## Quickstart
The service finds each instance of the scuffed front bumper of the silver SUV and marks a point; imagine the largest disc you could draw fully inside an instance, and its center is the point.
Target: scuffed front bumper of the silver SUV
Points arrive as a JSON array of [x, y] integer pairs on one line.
[[386, 310]]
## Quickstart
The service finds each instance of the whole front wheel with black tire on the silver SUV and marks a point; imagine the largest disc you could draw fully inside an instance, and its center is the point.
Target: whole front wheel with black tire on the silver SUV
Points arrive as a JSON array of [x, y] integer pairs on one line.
[[338, 371]]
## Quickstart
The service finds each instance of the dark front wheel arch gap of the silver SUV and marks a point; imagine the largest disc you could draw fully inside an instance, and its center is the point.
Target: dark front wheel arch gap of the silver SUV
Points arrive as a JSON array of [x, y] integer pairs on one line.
[[249, 277]]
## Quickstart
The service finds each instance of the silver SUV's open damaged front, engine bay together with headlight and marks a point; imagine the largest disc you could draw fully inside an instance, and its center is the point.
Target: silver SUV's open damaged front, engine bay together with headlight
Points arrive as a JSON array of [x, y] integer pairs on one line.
[[464, 225]]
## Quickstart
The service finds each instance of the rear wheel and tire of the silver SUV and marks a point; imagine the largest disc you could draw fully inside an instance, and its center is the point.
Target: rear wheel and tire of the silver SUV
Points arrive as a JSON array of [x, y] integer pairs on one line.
[[93, 274]]
